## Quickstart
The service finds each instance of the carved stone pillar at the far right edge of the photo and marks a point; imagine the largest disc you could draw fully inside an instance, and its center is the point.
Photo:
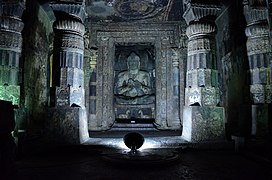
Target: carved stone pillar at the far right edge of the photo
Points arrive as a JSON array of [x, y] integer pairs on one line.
[[260, 64]]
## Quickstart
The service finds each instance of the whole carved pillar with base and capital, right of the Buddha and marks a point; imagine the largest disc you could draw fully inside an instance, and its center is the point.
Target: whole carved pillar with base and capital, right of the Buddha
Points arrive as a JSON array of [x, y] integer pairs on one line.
[[202, 119]]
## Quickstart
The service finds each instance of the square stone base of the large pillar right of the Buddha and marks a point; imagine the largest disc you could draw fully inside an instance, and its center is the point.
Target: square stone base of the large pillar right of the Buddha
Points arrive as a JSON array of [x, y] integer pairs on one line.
[[203, 123]]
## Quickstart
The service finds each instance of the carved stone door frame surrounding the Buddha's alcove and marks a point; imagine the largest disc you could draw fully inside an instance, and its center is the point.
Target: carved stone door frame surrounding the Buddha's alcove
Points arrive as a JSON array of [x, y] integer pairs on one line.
[[162, 36]]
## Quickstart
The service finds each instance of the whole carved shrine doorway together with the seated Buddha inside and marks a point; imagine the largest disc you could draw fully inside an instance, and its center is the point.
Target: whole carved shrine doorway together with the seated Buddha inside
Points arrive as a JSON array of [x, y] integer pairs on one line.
[[153, 91]]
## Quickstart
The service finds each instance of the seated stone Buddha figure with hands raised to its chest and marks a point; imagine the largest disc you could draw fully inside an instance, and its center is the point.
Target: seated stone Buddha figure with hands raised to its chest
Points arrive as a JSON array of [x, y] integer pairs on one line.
[[133, 86]]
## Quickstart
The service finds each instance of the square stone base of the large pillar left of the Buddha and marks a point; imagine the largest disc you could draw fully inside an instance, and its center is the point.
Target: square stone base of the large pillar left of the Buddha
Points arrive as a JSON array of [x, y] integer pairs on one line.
[[67, 125]]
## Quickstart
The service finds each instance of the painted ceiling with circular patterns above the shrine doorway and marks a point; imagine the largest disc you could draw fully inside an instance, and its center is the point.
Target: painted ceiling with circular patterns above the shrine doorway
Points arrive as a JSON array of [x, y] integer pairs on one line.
[[134, 10]]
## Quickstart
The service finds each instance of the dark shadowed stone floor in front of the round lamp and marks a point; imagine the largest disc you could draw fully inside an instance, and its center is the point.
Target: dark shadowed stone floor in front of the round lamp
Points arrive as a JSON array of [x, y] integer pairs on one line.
[[97, 162]]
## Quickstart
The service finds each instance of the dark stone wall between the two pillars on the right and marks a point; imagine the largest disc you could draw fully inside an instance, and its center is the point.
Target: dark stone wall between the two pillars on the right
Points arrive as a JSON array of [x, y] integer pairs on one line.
[[233, 68]]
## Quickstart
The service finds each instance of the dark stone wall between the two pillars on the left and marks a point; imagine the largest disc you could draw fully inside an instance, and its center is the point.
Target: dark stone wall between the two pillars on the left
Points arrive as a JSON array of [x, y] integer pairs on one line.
[[37, 37]]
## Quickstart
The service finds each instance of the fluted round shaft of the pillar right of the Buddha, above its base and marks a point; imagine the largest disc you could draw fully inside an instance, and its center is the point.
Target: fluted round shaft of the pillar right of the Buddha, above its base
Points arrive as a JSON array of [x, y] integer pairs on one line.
[[202, 75]]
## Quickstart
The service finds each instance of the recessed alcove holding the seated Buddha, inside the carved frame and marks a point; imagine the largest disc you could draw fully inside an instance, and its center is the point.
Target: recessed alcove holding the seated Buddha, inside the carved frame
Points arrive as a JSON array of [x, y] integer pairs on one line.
[[138, 108]]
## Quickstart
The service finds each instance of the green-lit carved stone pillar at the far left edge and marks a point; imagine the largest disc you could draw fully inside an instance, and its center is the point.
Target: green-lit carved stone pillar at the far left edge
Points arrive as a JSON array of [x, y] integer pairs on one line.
[[10, 49]]
